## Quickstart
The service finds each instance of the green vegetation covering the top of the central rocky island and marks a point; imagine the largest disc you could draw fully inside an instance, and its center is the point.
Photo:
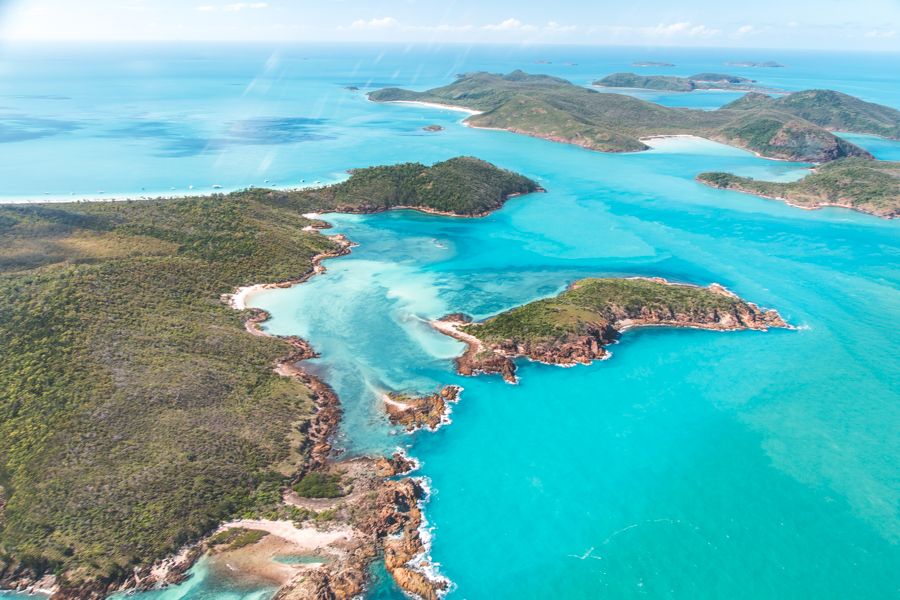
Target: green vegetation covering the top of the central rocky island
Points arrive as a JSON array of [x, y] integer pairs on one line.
[[597, 304]]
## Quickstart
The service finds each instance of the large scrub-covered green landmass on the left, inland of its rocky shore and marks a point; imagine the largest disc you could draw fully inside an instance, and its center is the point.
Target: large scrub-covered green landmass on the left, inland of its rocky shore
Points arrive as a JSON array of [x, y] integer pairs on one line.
[[136, 411]]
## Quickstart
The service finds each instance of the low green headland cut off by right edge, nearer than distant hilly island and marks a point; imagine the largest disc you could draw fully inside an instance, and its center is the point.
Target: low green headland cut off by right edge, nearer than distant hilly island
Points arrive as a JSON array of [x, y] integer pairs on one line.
[[865, 185]]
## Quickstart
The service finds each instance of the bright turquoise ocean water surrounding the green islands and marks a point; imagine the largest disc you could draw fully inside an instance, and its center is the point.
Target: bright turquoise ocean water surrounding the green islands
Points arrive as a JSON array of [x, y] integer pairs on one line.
[[691, 464]]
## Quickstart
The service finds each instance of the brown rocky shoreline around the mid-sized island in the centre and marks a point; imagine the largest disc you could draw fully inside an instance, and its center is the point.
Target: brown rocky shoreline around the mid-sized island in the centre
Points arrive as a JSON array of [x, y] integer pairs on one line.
[[498, 357]]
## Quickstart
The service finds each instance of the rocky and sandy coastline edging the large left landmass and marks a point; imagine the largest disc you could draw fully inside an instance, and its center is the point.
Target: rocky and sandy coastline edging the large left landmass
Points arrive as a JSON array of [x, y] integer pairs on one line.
[[379, 519]]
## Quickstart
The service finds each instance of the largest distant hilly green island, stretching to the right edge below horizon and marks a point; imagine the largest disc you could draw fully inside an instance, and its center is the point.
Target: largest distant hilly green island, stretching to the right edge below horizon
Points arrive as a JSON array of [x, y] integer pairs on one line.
[[793, 127]]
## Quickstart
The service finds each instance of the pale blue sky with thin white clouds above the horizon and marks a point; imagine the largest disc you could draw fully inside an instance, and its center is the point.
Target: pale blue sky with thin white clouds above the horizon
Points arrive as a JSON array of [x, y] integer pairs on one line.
[[795, 24]]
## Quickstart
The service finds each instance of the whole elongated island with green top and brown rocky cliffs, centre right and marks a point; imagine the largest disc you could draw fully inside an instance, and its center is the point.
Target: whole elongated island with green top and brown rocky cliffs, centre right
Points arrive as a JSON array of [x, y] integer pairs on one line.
[[576, 326]]
